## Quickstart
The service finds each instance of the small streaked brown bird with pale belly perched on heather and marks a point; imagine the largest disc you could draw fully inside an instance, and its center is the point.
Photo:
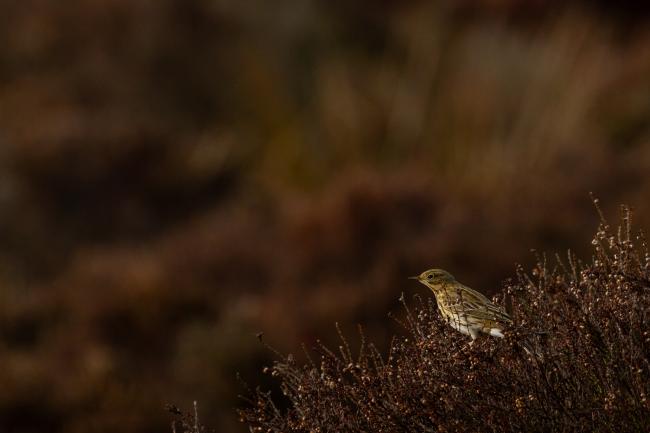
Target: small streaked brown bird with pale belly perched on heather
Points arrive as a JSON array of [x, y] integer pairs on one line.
[[465, 309]]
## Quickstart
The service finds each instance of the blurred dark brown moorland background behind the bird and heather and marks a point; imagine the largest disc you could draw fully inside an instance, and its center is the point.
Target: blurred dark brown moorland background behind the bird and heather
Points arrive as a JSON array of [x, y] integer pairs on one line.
[[176, 176]]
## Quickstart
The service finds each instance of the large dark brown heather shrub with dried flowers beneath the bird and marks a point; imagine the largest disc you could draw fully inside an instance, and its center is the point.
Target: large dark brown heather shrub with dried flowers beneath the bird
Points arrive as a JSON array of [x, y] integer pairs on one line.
[[588, 322]]
